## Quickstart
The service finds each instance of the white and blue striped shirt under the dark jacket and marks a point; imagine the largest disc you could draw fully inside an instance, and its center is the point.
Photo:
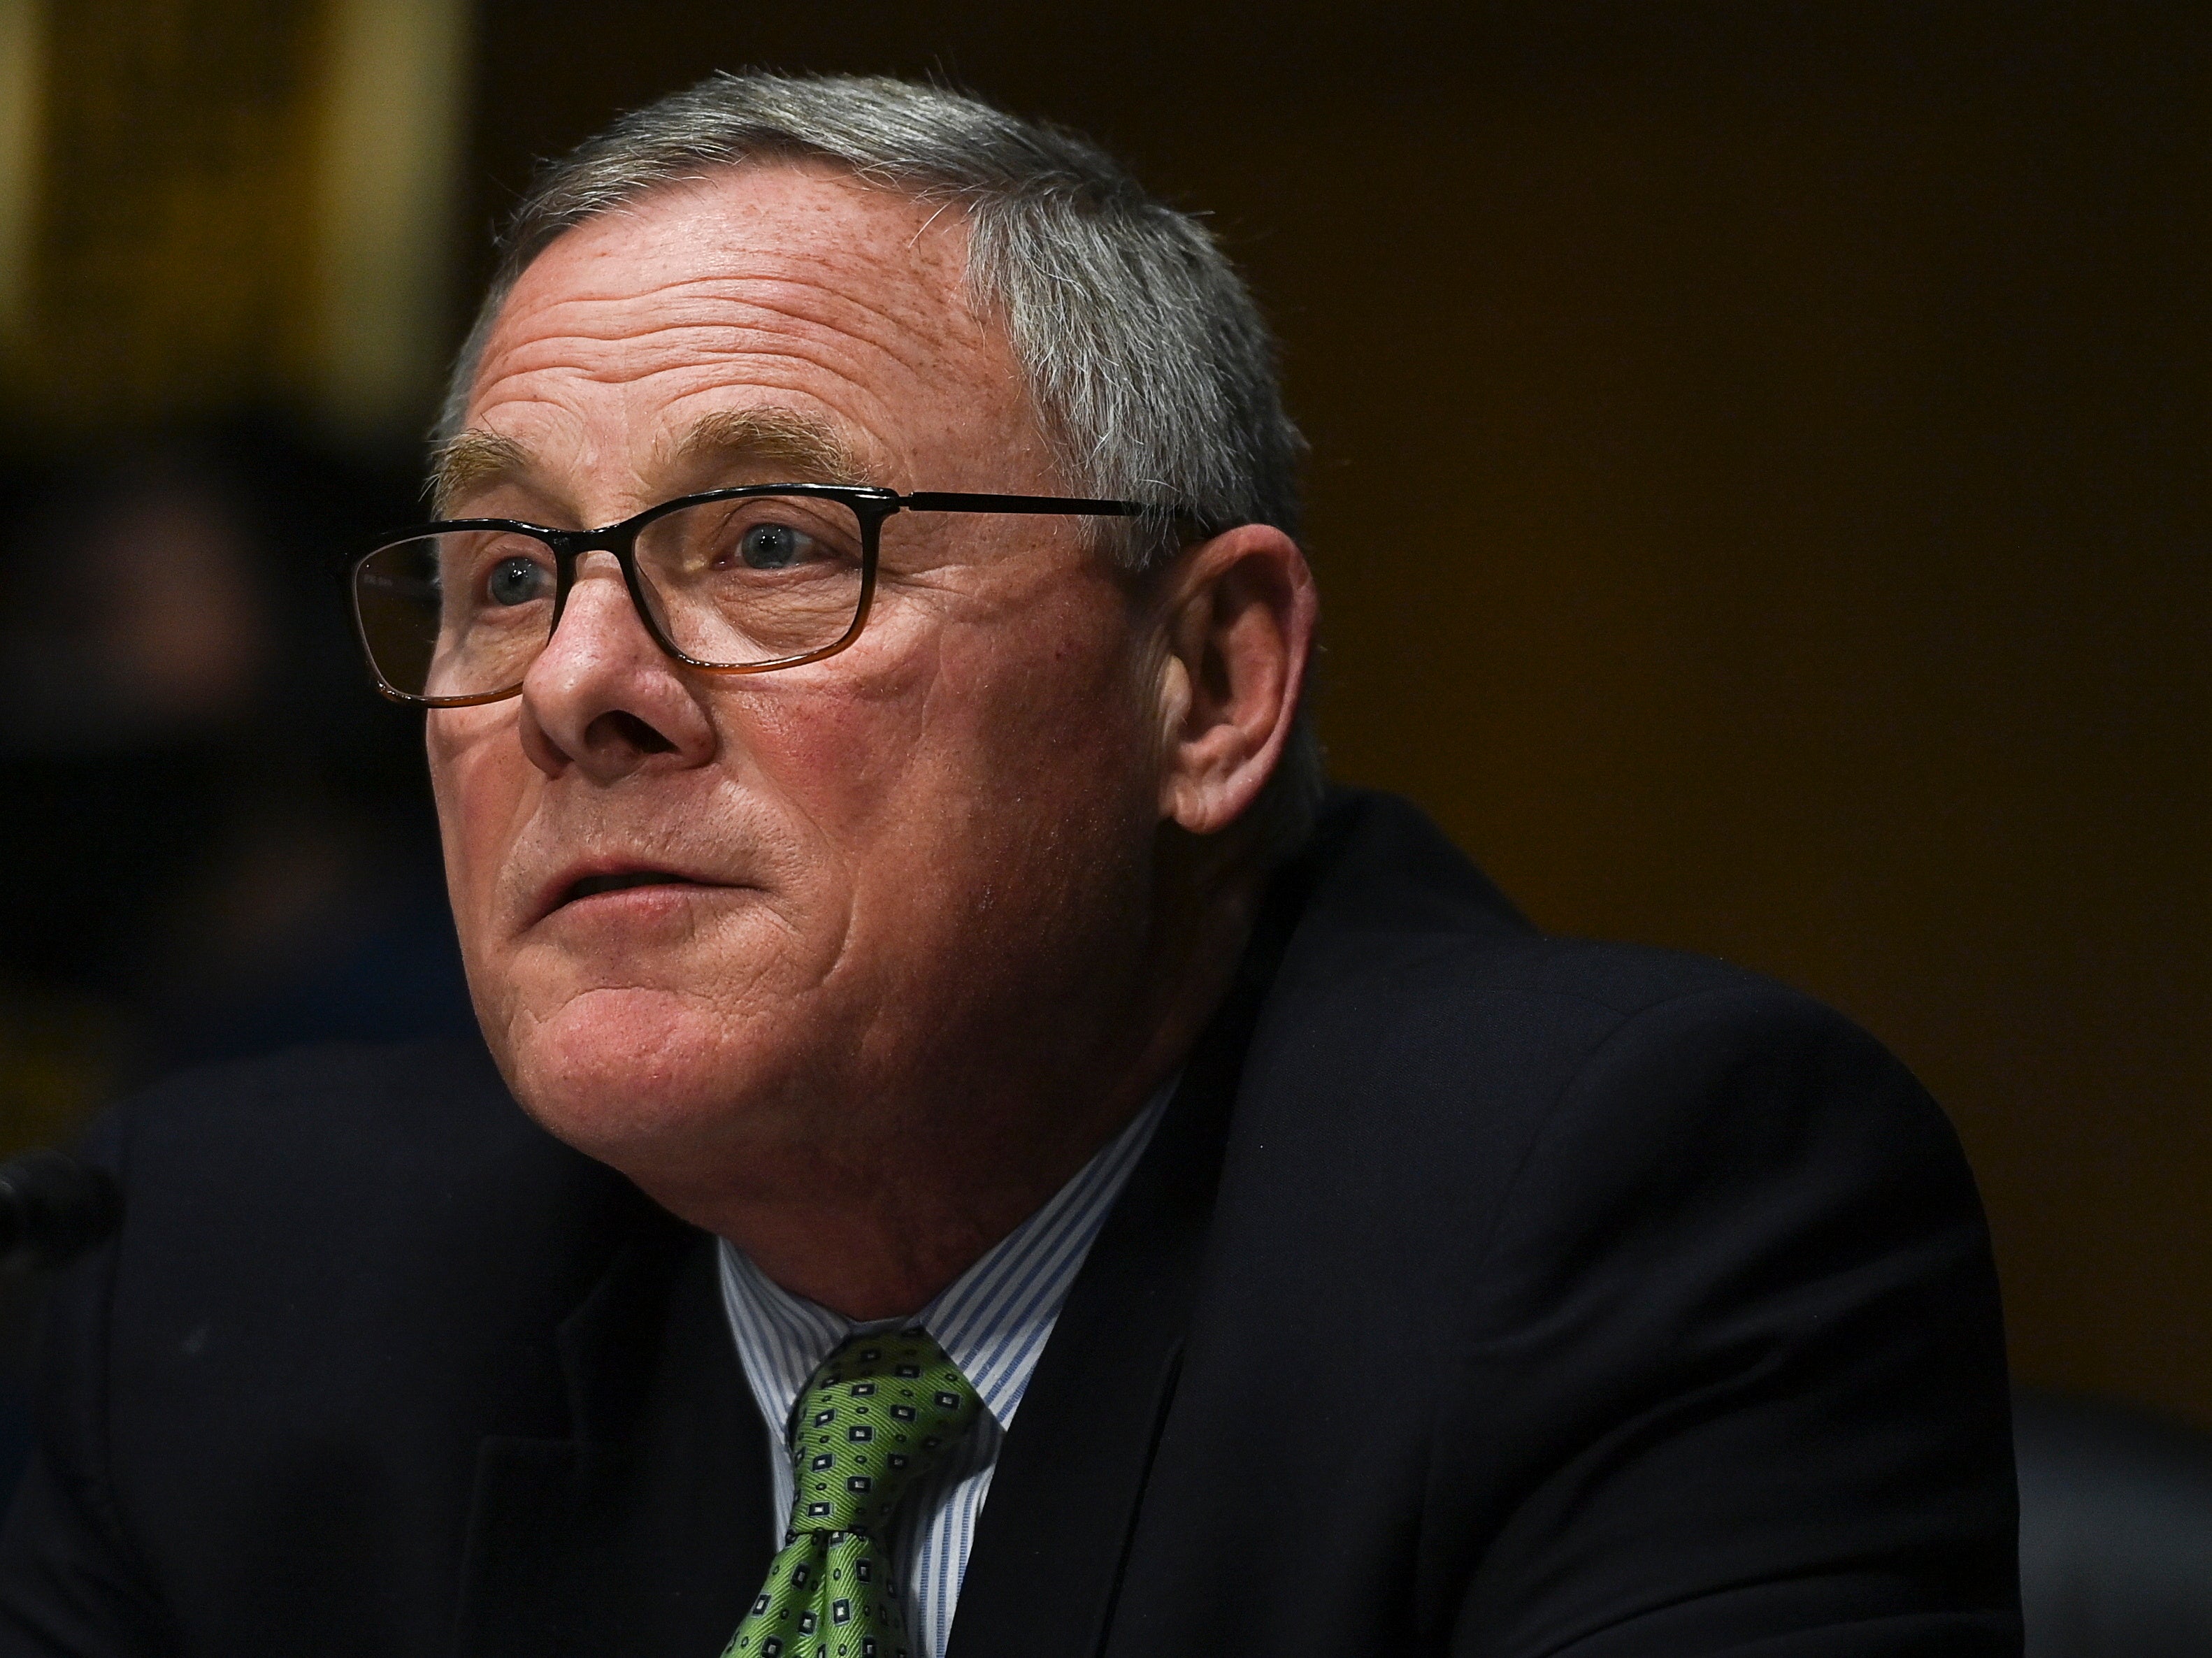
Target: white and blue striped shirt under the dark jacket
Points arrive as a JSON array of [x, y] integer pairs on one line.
[[992, 1323]]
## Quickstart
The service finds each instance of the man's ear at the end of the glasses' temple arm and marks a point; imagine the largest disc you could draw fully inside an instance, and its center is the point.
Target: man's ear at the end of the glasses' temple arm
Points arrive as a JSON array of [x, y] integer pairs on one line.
[[1238, 620]]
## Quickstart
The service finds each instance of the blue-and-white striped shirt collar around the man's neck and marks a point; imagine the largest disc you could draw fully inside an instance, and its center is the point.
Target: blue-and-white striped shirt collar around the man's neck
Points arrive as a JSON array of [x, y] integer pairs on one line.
[[992, 1321]]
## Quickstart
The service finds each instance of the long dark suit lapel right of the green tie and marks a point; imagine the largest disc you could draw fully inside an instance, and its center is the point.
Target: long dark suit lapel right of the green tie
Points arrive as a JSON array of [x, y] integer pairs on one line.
[[1052, 1540]]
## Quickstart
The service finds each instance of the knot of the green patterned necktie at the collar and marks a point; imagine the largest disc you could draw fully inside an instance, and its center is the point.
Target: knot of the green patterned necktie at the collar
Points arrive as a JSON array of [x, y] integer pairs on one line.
[[879, 1414]]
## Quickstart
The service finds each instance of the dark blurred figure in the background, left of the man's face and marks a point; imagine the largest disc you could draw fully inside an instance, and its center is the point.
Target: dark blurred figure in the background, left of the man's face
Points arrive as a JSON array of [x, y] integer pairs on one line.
[[220, 839]]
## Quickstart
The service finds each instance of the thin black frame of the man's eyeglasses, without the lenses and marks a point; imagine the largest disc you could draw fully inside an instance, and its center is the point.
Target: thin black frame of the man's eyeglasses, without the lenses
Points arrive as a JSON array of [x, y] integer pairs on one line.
[[868, 503]]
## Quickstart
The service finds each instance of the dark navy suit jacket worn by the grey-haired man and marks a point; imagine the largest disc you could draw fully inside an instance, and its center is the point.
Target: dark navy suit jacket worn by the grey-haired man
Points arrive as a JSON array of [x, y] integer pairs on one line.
[[1481, 1294]]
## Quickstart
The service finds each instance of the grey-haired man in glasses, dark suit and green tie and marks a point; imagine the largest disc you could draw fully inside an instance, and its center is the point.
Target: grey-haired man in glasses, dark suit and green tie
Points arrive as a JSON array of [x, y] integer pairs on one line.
[[1005, 1179]]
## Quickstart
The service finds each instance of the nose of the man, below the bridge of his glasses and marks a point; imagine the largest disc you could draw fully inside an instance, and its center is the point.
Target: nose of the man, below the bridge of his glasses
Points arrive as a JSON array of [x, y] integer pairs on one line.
[[603, 697]]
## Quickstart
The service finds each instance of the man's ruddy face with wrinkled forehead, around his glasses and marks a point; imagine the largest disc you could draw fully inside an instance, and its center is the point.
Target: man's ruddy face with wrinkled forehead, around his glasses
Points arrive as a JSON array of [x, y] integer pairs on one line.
[[875, 881]]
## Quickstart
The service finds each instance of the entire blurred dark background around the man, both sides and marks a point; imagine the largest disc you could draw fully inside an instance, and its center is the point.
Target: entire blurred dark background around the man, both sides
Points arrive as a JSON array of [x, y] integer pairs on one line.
[[1760, 496]]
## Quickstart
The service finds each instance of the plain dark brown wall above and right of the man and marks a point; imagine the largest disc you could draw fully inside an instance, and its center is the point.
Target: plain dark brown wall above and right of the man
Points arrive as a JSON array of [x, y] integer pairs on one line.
[[1757, 492]]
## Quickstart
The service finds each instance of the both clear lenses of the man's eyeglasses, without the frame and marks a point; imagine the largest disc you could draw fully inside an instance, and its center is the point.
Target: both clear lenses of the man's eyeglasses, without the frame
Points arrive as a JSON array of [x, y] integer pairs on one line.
[[735, 585]]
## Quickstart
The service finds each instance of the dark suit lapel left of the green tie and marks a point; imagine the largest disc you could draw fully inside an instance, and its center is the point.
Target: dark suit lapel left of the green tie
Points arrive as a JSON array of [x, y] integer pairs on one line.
[[647, 1531]]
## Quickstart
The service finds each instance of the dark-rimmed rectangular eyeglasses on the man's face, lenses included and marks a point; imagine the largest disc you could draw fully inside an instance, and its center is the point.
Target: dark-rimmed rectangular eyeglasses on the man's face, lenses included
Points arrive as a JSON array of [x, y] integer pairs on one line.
[[731, 583]]
